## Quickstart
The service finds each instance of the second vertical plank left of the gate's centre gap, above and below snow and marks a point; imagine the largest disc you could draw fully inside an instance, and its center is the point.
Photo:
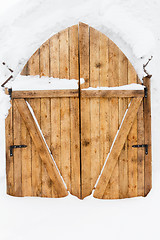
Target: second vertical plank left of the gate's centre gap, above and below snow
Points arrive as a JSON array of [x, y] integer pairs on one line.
[[65, 109]]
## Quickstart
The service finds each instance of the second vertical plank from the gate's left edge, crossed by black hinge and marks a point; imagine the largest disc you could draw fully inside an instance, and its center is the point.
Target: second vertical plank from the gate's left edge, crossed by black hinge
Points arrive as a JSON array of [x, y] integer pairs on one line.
[[17, 153]]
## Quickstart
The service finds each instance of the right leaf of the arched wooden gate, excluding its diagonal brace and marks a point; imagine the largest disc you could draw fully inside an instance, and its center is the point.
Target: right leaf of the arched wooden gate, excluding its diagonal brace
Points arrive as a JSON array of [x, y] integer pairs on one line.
[[102, 64]]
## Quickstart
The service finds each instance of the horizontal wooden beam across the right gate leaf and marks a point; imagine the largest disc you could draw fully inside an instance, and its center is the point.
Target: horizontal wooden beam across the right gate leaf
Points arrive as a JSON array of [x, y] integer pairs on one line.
[[112, 93]]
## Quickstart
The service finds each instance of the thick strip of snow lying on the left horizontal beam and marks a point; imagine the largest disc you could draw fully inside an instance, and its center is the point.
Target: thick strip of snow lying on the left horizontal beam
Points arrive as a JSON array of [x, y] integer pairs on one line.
[[41, 83]]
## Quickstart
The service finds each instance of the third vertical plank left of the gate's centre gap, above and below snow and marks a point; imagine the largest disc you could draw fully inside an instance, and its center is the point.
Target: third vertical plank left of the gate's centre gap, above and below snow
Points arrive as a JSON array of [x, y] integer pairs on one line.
[[55, 105]]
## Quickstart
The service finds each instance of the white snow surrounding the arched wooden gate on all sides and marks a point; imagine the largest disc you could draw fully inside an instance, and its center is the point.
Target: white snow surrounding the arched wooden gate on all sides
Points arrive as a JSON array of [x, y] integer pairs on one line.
[[134, 26]]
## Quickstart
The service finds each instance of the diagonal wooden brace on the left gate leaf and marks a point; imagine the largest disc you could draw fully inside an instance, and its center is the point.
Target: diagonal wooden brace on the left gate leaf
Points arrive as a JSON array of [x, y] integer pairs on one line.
[[41, 148]]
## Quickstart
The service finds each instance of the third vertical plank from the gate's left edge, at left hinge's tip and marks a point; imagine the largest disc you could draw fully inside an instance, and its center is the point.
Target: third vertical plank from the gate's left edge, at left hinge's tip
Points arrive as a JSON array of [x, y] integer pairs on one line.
[[26, 161]]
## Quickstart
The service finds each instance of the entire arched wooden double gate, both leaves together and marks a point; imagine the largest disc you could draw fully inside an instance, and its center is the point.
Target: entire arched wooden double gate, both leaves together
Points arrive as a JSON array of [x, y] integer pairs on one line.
[[80, 127]]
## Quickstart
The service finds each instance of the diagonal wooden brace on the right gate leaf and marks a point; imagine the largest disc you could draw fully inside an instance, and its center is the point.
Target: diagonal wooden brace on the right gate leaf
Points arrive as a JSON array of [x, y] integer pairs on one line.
[[117, 148]]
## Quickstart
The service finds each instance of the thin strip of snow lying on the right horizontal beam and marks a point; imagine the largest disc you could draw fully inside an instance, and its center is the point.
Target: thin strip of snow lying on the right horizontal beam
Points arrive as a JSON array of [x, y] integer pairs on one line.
[[132, 86]]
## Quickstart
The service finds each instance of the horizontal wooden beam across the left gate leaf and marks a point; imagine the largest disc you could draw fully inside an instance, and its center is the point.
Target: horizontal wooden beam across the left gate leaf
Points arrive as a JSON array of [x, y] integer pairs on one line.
[[45, 93]]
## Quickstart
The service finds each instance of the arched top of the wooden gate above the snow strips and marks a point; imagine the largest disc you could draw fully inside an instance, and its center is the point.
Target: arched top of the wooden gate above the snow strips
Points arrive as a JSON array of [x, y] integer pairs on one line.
[[81, 51]]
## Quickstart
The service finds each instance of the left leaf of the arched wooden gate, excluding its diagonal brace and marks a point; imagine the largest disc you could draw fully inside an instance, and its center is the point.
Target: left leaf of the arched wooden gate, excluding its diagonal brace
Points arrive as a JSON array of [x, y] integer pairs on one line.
[[58, 118]]
